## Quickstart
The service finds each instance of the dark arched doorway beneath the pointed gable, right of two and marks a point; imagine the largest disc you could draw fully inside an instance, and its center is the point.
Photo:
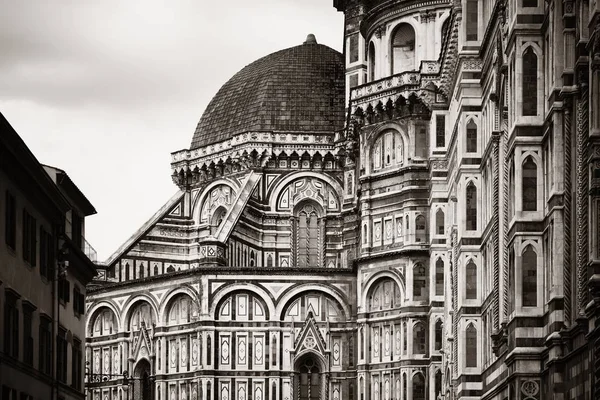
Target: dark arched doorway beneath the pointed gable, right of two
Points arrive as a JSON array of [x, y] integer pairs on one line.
[[310, 382]]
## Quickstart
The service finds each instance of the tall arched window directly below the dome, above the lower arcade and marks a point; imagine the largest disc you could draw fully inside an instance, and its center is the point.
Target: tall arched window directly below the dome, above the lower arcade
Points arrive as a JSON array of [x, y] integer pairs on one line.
[[307, 235]]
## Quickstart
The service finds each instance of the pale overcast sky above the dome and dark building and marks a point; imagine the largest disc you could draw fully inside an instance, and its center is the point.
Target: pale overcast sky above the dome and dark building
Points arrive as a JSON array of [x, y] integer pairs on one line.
[[107, 89]]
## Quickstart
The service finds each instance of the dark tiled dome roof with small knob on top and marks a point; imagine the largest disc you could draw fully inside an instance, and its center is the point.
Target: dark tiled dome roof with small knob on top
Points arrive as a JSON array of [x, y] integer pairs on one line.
[[300, 89]]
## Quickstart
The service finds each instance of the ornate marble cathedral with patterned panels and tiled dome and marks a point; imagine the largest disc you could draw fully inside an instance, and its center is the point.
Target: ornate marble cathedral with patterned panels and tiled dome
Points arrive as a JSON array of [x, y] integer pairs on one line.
[[416, 218]]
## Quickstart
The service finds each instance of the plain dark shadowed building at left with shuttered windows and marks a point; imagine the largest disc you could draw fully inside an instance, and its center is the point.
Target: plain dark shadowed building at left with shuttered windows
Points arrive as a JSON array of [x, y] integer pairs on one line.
[[45, 266]]
